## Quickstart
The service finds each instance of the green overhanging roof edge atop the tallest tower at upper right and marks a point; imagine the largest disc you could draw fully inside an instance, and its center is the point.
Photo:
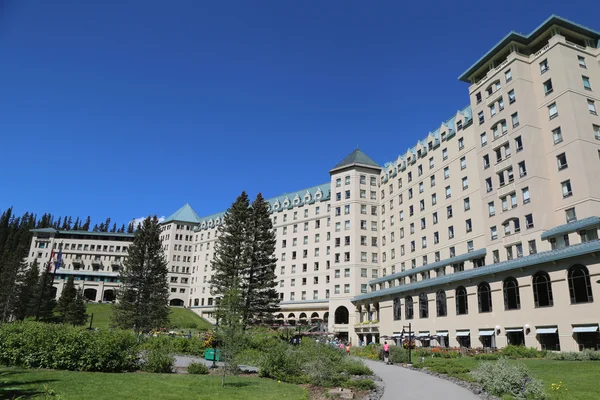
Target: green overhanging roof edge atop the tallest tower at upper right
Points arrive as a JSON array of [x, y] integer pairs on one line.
[[528, 39]]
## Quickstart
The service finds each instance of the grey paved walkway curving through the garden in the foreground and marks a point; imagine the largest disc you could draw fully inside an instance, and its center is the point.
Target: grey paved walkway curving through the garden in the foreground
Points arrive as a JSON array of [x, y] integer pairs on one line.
[[402, 383]]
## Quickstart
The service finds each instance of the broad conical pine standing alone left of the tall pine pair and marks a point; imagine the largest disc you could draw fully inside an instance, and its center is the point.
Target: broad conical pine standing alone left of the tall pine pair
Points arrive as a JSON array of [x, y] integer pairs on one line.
[[144, 295]]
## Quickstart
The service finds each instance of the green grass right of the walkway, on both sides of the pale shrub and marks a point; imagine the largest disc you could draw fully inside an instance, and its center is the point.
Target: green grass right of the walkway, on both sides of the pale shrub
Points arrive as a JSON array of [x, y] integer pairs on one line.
[[579, 377]]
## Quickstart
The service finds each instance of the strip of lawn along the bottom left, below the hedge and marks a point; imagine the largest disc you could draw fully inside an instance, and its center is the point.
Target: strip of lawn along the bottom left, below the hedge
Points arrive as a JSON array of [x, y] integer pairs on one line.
[[87, 385]]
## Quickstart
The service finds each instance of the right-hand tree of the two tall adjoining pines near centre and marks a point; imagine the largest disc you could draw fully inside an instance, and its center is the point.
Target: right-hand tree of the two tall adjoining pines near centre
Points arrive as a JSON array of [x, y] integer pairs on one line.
[[261, 298]]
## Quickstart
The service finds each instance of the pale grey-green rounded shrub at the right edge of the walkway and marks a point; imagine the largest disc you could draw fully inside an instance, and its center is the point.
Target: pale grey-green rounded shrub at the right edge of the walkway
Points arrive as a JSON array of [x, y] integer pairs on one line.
[[504, 377]]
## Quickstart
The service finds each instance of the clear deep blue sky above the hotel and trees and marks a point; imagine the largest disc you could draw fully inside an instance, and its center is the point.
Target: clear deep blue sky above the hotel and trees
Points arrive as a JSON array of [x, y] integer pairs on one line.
[[127, 108]]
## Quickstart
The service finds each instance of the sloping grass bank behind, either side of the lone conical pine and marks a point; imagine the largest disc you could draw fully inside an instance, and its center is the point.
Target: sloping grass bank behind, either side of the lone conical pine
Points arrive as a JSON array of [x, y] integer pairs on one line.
[[181, 318]]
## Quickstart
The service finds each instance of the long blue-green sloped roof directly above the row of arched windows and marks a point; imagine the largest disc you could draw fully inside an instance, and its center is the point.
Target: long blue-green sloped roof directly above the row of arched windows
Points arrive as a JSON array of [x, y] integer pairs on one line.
[[510, 265]]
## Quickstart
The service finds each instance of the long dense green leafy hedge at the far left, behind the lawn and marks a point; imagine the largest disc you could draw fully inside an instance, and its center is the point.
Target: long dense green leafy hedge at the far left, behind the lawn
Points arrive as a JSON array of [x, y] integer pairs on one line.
[[40, 345]]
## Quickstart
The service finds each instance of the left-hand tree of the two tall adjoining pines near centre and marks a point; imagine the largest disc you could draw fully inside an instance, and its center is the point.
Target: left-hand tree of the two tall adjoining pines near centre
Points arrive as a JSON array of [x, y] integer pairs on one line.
[[229, 262]]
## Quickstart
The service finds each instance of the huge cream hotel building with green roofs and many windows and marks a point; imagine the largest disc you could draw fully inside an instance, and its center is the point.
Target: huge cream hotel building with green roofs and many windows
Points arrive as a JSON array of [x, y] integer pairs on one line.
[[483, 234]]
